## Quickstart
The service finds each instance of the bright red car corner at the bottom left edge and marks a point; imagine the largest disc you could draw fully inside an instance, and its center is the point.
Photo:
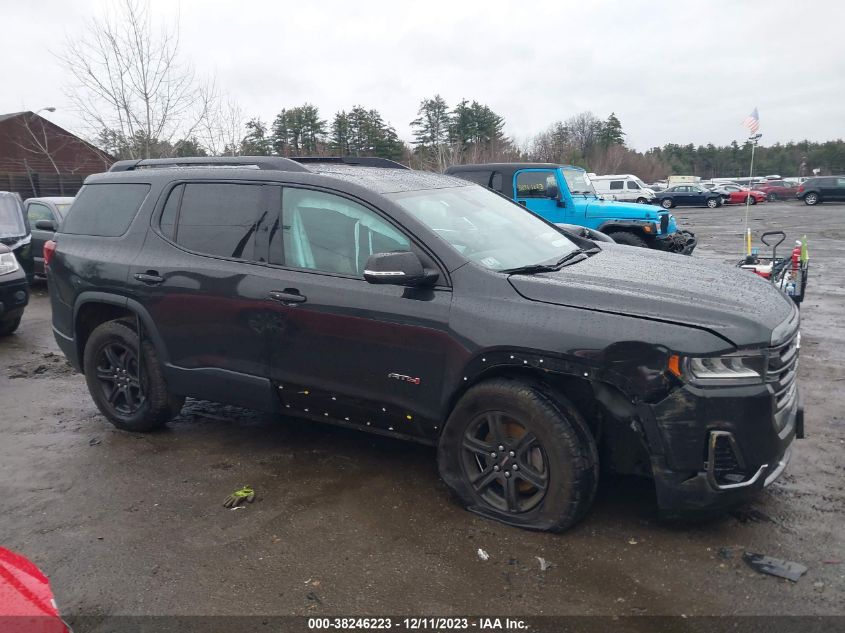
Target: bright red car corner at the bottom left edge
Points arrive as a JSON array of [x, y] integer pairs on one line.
[[26, 601]]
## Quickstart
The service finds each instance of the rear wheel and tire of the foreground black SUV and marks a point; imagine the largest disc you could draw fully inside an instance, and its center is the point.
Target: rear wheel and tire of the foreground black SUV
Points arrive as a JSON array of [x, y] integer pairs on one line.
[[131, 402]]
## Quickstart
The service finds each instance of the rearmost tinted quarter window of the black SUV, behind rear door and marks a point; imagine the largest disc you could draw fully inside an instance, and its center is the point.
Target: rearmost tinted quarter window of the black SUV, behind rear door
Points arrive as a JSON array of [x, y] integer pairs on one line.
[[105, 210]]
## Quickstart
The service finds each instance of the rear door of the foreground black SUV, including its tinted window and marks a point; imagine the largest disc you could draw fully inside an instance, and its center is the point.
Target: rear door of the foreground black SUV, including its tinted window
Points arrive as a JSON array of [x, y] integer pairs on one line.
[[200, 276]]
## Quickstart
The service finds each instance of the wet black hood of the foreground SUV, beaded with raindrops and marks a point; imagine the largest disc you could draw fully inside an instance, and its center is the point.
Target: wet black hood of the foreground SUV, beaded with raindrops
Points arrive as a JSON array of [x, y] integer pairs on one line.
[[735, 304]]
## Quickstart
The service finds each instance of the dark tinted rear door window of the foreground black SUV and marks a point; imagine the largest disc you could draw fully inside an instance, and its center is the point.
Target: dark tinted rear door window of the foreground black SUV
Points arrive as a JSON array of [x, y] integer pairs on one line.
[[218, 219]]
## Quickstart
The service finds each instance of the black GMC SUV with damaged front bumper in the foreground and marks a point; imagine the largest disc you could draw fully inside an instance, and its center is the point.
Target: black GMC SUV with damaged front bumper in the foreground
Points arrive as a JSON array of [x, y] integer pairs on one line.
[[421, 306]]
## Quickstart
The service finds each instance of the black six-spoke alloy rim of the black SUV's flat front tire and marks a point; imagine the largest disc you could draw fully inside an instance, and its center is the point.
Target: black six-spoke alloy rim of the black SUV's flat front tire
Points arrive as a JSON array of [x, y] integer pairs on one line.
[[505, 463]]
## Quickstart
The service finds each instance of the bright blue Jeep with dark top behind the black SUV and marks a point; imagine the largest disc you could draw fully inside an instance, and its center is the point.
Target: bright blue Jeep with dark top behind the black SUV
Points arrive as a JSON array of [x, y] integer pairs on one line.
[[563, 194]]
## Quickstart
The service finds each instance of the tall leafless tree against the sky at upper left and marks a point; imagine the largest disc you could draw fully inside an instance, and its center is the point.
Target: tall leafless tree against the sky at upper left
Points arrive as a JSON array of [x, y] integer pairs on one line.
[[130, 81]]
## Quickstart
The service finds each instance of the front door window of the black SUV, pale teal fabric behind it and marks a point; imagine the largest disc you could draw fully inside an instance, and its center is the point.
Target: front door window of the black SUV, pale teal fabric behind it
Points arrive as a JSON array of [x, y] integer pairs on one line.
[[325, 232]]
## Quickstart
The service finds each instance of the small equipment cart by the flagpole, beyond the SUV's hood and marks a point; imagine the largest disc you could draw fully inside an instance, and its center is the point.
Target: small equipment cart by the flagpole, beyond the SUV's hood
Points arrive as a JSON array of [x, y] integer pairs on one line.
[[787, 273]]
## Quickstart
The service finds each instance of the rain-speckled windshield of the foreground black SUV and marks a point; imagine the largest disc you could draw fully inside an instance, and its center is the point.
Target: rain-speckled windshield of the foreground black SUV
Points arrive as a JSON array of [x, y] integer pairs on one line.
[[485, 227]]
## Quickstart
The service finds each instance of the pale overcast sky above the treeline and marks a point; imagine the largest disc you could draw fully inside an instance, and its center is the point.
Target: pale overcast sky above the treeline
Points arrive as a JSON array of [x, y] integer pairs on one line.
[[671, 71]]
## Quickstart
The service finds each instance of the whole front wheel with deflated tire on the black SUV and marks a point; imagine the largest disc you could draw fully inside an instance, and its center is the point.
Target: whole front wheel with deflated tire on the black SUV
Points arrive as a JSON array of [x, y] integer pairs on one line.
[[542, 442]]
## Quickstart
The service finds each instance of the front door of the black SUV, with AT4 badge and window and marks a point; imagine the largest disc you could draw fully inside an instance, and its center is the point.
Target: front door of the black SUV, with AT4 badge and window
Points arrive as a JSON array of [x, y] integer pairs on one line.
[[342, 349]]
